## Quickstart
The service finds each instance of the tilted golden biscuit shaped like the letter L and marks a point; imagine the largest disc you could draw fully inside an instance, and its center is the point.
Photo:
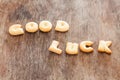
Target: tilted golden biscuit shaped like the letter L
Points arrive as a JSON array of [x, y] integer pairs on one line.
[[53, 47]]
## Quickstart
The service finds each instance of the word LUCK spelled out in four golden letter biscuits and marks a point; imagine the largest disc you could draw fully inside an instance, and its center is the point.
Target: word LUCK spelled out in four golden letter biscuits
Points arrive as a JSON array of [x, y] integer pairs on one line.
[[85, 46]]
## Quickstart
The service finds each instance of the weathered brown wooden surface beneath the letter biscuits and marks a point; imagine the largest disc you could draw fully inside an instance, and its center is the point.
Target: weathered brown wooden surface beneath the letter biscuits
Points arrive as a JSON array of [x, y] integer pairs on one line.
[[27, 57]]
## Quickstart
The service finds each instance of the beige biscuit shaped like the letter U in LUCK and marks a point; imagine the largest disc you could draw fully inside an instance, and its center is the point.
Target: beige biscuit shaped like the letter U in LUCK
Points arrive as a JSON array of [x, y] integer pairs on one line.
[[71, 48]]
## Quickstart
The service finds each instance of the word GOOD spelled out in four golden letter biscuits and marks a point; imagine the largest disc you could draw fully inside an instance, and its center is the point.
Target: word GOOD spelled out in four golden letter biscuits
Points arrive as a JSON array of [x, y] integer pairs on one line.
[[44, 26]]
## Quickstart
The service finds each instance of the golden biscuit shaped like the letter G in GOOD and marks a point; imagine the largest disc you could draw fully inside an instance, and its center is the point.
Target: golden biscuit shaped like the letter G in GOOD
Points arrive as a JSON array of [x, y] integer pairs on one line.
[[16, 29]]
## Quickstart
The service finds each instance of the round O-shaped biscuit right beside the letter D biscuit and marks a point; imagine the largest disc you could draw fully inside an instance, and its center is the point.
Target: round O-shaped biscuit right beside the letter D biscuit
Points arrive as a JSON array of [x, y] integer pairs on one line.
[[45, 26]]
